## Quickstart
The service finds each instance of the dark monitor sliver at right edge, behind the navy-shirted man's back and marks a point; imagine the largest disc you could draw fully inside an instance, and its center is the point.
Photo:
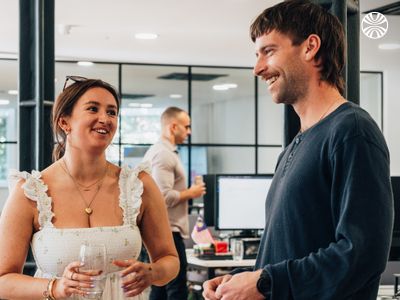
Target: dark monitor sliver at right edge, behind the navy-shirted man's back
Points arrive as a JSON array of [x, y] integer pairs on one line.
[[395, 247]]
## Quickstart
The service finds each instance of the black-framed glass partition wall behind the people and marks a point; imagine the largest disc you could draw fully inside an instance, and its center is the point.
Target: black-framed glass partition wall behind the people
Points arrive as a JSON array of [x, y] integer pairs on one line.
[[236, 127]]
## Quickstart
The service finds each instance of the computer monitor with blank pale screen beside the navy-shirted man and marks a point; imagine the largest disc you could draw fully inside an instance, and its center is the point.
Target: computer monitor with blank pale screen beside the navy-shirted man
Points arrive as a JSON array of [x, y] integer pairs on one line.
[[240, 201]]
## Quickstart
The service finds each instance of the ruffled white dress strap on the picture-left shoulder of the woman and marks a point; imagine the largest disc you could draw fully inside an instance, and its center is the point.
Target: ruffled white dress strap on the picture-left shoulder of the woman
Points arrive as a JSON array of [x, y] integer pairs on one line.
[[35, 190]]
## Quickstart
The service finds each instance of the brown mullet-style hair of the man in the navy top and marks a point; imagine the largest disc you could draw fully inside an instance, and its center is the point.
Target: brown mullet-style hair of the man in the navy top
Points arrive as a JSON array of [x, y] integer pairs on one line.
[[299, 19]]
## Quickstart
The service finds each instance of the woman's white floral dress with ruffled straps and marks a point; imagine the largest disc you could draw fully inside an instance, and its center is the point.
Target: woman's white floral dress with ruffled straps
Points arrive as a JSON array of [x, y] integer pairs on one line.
[[54, 248]]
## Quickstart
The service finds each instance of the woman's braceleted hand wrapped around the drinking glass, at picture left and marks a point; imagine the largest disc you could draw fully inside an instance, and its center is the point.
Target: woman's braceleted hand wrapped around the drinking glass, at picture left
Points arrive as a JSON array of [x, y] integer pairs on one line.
[[72, 281]]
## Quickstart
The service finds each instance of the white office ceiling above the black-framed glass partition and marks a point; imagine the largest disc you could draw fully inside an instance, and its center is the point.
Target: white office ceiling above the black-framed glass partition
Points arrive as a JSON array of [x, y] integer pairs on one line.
[[206, 32]]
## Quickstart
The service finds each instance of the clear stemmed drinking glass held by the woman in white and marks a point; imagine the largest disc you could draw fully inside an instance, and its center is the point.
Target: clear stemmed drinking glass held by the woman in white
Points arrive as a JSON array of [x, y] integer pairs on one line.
[[93, 257]]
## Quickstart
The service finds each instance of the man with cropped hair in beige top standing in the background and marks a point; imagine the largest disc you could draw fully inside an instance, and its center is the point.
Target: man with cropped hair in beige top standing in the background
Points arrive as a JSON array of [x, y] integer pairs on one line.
[[169, 174]]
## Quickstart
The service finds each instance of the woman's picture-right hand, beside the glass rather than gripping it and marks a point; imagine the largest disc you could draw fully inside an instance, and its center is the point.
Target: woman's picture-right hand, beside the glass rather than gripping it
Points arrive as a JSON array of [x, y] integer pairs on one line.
[[135, 277]]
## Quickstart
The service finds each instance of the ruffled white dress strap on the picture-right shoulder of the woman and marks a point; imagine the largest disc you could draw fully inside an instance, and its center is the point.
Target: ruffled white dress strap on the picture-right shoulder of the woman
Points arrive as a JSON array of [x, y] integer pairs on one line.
[[131, 188]]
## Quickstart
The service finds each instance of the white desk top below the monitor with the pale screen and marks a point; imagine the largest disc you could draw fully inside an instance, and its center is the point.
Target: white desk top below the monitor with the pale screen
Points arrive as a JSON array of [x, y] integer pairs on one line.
[[211, 265]]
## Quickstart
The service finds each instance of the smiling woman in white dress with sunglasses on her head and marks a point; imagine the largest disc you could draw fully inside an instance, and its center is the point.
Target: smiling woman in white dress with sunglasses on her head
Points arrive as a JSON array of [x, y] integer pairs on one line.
[[82, 198]]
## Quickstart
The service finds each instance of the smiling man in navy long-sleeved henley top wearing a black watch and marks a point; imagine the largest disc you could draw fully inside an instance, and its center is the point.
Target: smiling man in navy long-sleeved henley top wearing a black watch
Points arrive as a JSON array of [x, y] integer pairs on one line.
[[329, 210]]
